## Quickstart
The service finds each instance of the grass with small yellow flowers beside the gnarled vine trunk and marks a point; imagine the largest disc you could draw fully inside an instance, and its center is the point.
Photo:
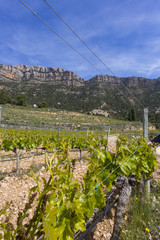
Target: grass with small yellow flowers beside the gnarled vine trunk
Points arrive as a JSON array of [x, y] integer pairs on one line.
[[142, 219]]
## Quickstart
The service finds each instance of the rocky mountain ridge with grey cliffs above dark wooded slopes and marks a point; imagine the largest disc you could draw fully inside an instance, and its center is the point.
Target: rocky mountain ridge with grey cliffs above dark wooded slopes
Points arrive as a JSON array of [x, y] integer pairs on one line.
[[66, 90]]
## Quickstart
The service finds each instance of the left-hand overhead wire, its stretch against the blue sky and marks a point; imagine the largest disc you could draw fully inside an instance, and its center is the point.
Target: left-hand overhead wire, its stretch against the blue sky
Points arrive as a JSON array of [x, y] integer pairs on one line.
[[59, 36]]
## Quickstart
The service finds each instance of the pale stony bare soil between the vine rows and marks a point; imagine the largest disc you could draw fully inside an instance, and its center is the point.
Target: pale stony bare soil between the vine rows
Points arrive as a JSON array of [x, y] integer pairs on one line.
[[15, 189]]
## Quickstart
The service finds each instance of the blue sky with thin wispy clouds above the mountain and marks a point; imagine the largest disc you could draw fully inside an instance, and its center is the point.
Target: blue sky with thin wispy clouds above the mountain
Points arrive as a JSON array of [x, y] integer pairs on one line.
[[124, 34]]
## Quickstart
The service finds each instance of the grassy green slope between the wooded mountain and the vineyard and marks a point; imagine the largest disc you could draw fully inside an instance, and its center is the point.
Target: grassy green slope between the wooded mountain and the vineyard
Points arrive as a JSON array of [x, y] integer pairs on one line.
[[50, 118]]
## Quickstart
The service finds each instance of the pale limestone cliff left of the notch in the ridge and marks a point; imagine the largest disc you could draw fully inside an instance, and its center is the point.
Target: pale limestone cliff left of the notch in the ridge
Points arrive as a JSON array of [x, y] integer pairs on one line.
[[37, 74]]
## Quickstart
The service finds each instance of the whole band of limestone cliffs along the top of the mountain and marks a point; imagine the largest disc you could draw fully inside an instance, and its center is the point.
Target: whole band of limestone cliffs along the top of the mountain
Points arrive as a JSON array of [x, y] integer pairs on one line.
[[59, 76]]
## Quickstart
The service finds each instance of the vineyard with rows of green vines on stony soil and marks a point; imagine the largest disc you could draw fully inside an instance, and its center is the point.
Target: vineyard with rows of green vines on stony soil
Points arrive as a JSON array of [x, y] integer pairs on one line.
[[80, 177]]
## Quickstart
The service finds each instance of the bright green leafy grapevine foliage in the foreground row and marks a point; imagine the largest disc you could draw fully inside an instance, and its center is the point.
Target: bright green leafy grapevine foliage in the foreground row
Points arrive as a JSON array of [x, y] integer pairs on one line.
[[64, 204]]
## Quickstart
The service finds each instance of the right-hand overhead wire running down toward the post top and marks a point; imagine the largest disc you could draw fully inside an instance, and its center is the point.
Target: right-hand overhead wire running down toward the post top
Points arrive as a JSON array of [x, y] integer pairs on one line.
[[89, 49]]
